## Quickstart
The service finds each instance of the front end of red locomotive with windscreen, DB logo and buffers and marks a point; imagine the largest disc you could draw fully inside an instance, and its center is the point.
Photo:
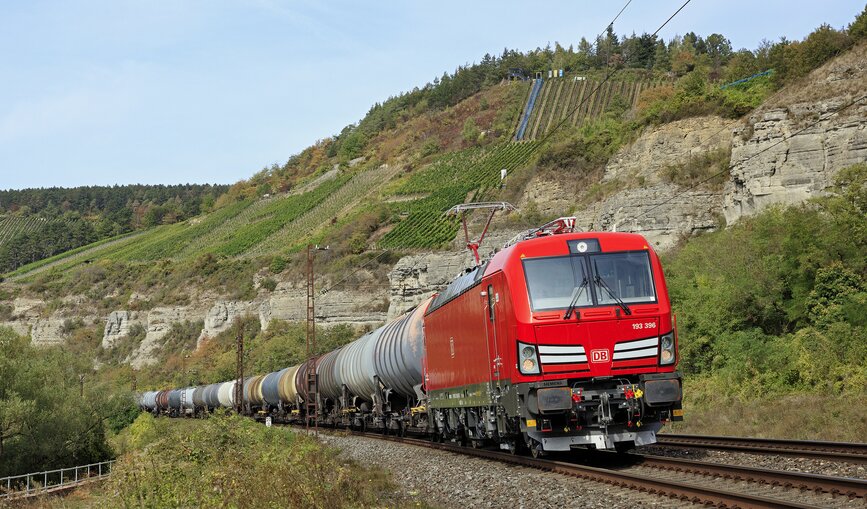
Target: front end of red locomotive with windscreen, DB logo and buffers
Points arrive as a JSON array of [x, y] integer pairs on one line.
[[596, 347]]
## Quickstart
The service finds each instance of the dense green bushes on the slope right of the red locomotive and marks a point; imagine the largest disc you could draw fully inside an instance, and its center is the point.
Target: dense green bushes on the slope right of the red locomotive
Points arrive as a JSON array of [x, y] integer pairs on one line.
[[775, 304]]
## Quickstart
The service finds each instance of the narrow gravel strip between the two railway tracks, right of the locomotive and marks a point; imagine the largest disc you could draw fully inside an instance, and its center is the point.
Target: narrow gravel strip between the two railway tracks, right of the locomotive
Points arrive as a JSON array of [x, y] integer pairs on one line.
[[788, 463]]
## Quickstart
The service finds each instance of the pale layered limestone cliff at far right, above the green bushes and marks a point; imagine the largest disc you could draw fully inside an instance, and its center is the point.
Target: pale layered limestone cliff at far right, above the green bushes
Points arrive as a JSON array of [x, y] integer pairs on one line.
[[768, 170]]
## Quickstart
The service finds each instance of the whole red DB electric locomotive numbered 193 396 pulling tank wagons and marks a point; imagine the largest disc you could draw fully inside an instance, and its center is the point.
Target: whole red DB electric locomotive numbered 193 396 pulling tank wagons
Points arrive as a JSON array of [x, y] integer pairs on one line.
[[561, 340]]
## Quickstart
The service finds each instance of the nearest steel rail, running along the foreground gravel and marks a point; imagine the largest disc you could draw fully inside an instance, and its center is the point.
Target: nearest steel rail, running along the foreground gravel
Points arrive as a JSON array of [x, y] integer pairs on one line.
[[662, 487]]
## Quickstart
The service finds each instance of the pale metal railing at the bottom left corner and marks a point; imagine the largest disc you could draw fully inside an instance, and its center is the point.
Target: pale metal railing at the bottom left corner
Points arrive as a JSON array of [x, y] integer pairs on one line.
[[24, 485]]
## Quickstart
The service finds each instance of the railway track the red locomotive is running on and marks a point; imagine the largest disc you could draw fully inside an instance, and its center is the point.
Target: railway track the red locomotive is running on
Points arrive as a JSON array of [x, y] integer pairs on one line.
[[714, 484]]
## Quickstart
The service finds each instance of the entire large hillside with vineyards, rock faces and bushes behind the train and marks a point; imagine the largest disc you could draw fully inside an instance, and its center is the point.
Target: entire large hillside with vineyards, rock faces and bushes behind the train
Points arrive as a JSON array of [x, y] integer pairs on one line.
[[698, 168]]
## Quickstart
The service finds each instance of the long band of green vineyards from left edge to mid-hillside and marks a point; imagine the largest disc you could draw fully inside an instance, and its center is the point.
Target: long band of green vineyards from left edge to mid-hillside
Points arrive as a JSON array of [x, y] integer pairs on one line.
[[285, 223]]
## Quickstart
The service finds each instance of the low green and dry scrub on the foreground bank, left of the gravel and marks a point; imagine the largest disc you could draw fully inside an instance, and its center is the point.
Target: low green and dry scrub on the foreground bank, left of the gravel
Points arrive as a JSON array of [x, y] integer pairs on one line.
[[232, 461]]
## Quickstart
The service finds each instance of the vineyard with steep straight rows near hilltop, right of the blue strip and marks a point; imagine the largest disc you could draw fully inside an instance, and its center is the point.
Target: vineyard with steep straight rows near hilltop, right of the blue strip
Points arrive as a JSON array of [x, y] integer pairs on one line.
[[558, 97]]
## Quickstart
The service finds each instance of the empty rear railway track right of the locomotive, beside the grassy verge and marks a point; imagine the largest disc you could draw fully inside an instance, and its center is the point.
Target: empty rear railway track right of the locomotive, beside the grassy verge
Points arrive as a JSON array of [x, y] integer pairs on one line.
[[835, 451]]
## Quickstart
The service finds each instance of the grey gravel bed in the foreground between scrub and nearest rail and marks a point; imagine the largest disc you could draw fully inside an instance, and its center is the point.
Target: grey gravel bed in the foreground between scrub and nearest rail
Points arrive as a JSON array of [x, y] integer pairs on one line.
[[449, 480]]
